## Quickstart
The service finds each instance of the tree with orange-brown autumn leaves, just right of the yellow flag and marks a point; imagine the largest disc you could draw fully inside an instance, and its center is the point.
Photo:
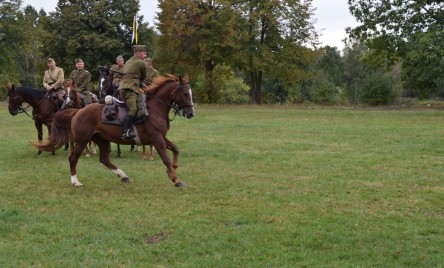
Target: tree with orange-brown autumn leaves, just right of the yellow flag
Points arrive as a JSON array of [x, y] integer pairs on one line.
[[197, 35]]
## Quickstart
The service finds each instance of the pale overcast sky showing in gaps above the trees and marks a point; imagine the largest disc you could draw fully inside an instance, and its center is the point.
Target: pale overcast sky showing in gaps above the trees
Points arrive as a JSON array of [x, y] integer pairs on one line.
[[332, 17]]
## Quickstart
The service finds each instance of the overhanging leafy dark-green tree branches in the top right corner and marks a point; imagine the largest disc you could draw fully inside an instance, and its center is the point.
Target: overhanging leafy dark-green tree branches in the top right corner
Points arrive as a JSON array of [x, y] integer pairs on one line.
[[394, 28]]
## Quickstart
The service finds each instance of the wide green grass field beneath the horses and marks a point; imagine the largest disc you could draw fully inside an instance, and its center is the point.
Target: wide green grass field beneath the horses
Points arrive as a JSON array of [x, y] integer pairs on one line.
[[266, 187]]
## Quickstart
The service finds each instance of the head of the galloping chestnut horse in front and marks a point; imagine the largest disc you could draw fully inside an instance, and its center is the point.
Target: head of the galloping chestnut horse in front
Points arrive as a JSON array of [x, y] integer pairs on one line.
[[183, 98]]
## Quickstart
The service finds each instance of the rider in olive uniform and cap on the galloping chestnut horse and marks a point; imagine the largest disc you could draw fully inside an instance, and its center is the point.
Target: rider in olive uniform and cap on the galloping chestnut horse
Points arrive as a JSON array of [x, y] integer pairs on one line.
[[132, 81]]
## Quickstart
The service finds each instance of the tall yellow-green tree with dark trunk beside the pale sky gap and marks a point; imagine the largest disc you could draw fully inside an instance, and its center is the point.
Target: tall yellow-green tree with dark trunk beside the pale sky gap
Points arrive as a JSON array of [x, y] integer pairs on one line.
[[274, 35]]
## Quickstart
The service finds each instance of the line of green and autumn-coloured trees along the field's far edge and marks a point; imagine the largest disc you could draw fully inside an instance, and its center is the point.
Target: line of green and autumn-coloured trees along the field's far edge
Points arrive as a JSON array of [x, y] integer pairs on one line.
[[239, 51]]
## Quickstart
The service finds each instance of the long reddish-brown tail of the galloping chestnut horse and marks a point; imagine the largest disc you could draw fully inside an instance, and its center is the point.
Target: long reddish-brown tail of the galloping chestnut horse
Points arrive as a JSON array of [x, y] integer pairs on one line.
[[60, 131]]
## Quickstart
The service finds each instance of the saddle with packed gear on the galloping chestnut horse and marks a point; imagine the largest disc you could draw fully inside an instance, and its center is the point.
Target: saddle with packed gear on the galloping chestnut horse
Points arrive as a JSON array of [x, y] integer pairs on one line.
[[115, 110]]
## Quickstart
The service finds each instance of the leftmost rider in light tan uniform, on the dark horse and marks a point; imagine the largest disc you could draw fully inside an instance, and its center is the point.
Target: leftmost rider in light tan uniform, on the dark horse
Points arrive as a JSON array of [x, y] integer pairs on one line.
[[53, 79]]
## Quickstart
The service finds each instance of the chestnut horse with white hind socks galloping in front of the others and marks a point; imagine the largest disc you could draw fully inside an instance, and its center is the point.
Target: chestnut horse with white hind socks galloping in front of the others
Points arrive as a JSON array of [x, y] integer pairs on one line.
[[86, 124]]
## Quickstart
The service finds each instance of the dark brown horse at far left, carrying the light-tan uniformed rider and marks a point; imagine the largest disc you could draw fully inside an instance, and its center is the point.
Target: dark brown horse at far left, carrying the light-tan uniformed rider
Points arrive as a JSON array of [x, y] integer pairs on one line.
[[42, 103]]
